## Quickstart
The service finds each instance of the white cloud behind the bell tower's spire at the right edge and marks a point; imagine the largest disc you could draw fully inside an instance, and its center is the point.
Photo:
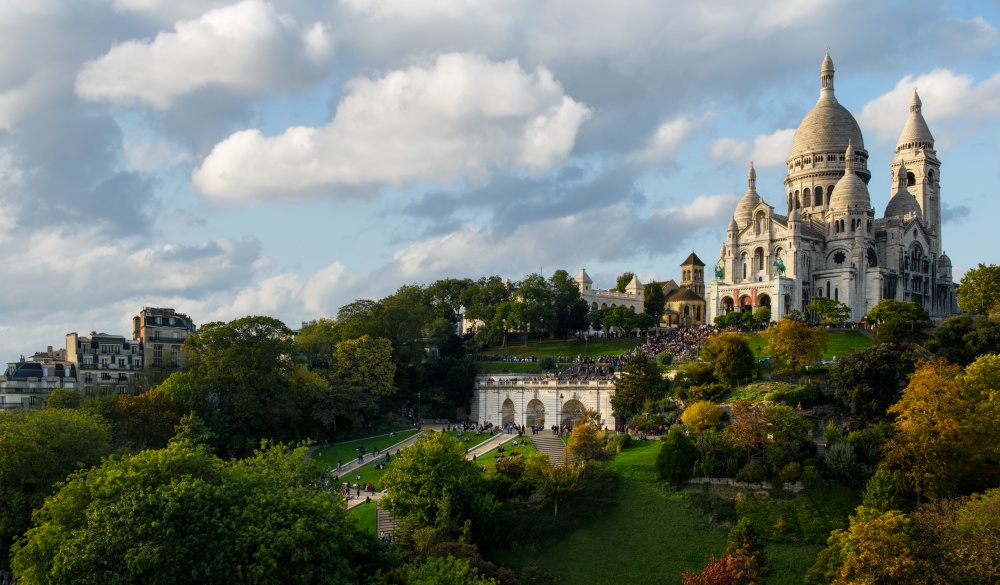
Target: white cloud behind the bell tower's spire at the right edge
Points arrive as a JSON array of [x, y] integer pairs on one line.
[[951, 100]]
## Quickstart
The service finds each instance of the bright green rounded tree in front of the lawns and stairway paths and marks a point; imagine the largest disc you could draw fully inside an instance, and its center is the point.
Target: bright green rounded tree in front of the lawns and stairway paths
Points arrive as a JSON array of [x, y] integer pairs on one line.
[[427, 472]]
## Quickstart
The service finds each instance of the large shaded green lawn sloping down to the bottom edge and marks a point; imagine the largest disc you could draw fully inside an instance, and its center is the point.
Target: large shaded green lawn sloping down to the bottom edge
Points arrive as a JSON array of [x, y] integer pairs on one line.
[[652, 537]]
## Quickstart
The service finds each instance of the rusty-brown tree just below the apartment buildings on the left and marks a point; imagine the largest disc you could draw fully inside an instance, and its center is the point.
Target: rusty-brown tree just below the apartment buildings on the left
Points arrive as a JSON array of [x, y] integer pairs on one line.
[[146, 421]]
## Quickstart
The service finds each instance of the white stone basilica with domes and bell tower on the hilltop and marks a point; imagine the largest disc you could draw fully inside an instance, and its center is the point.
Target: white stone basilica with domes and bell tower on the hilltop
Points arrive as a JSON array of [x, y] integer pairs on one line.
[[829, 241]]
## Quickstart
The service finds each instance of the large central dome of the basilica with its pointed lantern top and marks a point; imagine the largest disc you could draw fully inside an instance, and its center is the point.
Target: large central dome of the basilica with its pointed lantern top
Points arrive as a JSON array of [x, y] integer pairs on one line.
[[828, 127]]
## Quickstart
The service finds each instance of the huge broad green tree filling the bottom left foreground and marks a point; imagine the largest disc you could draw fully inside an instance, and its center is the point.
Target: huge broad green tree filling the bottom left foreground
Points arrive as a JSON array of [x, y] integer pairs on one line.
[[181, 515]]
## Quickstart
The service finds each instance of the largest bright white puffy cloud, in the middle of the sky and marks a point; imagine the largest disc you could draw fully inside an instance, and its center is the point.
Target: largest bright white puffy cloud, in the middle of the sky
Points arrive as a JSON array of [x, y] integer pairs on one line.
[[461, 115]]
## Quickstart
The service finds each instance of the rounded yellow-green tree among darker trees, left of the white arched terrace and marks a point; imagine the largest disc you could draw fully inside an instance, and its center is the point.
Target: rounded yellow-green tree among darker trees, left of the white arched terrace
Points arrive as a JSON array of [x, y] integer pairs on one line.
[[366, 365]]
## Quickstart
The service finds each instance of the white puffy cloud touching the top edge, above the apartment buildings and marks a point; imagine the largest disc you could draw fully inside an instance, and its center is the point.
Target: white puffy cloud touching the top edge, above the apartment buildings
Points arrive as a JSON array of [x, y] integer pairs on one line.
[[247, 47]]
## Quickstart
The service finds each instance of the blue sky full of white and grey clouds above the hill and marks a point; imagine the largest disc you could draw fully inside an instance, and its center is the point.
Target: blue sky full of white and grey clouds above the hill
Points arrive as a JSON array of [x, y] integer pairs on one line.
[[231, 158]]
